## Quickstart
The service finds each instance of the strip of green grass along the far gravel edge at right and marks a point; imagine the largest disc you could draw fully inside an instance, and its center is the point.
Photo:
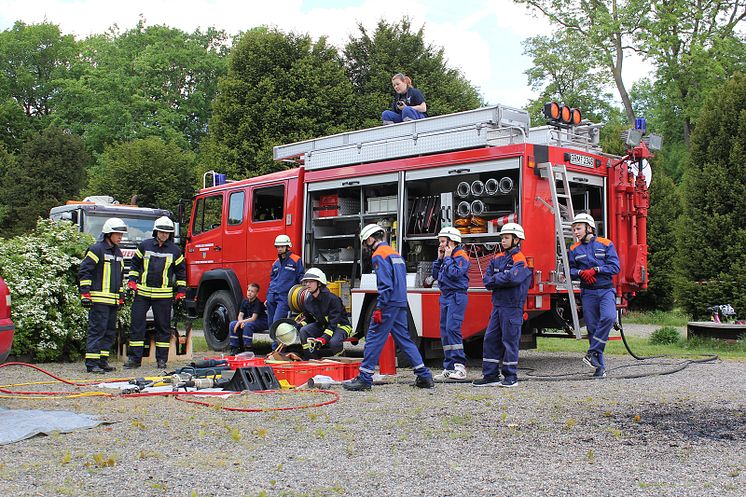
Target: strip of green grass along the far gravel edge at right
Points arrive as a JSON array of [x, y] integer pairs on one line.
[[642, 347]]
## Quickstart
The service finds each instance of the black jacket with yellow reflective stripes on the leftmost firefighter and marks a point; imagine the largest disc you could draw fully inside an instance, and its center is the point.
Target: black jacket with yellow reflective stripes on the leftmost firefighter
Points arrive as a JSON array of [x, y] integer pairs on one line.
[[101, 273]]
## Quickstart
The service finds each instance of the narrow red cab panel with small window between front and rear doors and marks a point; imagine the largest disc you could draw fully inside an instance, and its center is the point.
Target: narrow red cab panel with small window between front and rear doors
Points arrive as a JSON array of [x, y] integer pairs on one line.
[[234, 233]]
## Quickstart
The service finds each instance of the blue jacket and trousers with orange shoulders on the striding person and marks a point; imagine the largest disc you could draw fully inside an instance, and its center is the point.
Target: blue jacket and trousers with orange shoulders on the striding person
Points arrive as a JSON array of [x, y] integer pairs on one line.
[[391, 277]]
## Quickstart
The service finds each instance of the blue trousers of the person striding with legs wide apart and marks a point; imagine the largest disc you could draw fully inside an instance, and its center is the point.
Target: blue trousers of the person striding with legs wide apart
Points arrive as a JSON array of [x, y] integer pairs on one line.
[[394, 322]]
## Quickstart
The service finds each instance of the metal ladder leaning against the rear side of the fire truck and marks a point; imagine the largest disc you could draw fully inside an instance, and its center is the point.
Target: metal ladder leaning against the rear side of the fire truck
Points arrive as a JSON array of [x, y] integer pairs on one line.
[[563, 215]]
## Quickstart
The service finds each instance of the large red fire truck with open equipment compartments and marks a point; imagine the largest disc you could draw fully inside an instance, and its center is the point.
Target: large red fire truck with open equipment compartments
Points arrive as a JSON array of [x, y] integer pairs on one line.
[[474, 170]]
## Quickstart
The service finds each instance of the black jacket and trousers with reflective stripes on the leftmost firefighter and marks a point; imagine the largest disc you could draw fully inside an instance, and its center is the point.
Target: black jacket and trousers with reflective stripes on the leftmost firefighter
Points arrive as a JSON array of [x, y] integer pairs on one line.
[[100, 275]]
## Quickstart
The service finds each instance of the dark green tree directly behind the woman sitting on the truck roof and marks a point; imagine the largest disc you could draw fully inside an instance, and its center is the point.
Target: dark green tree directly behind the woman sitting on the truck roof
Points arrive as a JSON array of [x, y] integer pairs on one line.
[[373, 58]]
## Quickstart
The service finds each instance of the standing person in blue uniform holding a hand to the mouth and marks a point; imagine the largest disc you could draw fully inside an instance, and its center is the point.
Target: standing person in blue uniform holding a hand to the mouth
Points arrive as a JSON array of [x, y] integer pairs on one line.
[[451, 269]]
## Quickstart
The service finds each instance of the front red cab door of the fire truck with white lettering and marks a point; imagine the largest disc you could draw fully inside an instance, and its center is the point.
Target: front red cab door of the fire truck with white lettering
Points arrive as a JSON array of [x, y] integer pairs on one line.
[[205, 247]]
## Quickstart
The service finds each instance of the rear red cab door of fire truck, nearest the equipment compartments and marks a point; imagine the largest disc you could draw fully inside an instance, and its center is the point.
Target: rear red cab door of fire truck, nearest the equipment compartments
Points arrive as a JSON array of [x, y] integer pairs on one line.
[[267, 220]]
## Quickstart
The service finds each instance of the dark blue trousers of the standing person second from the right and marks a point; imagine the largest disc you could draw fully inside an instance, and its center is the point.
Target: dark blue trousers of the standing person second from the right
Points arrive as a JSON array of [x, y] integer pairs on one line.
[[502, 340]]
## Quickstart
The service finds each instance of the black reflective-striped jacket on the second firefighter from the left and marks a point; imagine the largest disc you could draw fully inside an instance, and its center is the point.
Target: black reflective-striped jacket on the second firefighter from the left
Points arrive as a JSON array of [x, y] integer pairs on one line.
[[158, 269]]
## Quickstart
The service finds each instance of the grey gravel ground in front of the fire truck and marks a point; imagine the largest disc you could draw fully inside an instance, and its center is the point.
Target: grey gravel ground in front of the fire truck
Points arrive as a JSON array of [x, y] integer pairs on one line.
[[677, 434]]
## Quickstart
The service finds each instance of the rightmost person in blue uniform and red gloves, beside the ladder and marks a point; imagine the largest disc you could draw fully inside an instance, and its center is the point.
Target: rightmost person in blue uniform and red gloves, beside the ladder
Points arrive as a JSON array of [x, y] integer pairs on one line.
[[594, 261]]
